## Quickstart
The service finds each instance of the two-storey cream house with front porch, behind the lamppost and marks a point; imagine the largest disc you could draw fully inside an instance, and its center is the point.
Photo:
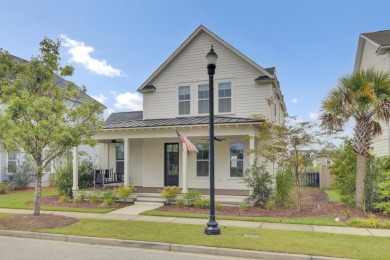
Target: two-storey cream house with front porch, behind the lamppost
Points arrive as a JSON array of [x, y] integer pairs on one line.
[[144, 146]]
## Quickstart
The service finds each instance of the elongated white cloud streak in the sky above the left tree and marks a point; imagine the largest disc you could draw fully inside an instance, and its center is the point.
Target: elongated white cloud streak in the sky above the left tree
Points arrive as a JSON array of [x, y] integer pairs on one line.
[[81, 54]]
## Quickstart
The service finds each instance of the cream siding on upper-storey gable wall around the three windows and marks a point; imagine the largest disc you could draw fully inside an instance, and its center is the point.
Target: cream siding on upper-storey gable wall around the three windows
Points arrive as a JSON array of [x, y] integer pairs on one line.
[[189, 67]]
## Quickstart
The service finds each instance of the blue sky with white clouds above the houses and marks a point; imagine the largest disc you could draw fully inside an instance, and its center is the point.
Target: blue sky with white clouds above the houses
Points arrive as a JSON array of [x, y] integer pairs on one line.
[[116, 45]]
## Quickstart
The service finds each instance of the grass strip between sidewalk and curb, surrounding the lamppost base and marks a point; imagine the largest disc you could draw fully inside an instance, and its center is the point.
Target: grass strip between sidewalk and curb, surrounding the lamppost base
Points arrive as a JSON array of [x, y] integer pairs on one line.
[[310, 243]]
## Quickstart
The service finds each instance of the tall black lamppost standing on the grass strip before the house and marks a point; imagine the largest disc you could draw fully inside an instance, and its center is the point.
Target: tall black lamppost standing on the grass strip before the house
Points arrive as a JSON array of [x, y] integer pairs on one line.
[[212, 226]]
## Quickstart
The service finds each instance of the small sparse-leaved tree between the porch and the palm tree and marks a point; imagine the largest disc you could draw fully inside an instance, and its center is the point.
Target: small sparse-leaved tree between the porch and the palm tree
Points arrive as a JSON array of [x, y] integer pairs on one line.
[[288, 144]]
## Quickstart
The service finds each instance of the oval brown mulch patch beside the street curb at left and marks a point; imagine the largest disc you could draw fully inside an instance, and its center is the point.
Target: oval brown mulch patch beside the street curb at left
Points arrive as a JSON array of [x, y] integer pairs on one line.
[[31, 222]]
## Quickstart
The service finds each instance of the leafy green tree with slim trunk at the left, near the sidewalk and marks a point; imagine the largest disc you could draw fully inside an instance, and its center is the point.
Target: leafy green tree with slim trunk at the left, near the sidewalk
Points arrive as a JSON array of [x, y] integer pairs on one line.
[[39, 116]]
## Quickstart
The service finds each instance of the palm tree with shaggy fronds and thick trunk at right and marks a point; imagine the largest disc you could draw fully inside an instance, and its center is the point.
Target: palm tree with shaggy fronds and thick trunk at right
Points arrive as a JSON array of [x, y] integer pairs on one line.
[[365, 97]]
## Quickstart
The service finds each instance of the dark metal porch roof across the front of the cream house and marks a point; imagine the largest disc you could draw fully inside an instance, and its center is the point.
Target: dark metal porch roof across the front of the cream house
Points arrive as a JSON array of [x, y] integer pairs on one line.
[[134, 120]]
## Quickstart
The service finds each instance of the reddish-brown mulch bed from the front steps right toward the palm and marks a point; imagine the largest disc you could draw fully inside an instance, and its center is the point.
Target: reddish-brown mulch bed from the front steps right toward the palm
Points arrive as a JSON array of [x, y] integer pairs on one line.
[[315, 203]]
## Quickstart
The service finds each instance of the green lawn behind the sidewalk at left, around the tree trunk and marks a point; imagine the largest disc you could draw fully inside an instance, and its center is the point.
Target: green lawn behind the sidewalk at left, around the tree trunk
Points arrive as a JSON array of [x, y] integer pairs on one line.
[[19, 201]]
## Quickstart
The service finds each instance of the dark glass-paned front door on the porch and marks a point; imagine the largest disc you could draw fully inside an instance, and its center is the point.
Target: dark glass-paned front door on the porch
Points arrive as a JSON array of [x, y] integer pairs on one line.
[[171, 164]]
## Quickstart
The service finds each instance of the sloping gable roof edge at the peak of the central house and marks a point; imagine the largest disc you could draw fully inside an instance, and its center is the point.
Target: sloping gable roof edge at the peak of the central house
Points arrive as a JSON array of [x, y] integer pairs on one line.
[[199, 30]]
